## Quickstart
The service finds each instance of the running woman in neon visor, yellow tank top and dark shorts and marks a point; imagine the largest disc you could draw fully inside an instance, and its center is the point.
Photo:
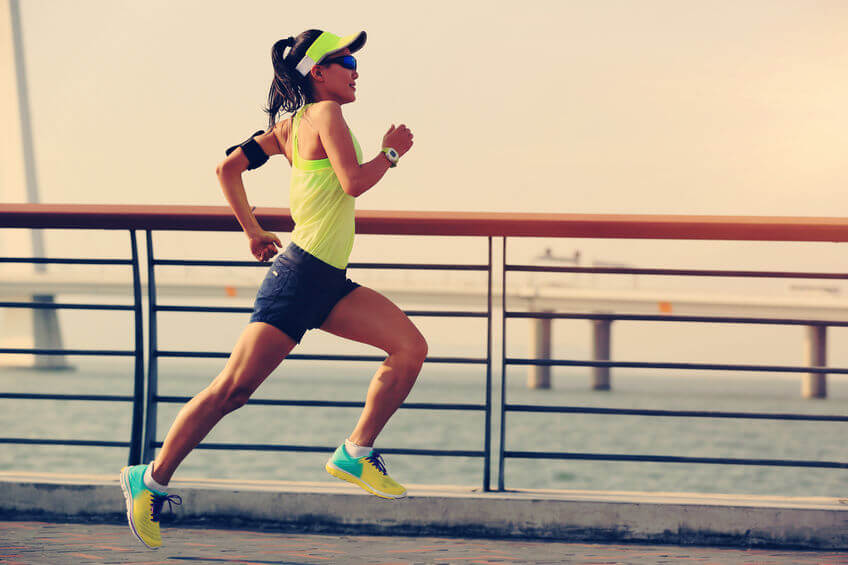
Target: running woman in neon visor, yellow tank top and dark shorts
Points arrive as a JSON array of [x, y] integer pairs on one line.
[[306, 287]]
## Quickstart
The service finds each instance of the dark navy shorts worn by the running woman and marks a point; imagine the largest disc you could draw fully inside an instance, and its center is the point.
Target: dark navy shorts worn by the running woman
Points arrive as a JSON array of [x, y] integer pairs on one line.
[[299, 292]]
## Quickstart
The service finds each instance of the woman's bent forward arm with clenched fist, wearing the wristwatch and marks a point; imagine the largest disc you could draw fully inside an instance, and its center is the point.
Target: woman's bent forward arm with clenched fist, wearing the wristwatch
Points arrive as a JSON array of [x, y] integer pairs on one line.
[[335, 137]]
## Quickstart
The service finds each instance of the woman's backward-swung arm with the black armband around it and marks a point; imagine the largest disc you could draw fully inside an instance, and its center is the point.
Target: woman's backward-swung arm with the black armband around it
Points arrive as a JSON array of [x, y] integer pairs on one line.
[[263, 244]]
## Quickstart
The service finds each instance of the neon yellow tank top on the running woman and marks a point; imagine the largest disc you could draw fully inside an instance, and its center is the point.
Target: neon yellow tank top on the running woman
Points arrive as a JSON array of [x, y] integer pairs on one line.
[[323, 213]]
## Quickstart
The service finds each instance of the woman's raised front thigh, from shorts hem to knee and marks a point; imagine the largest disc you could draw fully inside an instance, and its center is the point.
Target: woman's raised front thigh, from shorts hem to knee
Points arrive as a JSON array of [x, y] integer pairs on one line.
[[367, 316]]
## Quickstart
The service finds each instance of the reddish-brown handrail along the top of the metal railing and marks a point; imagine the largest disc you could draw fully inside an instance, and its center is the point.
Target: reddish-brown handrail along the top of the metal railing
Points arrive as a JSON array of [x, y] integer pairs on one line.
[[616, 226]]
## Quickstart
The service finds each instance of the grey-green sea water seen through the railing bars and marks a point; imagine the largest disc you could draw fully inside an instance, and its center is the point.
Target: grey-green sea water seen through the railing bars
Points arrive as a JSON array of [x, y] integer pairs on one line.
[[454, 430]]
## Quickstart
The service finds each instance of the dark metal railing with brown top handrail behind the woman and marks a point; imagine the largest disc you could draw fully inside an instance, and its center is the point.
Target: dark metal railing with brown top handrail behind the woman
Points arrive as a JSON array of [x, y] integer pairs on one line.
[[490, 226]]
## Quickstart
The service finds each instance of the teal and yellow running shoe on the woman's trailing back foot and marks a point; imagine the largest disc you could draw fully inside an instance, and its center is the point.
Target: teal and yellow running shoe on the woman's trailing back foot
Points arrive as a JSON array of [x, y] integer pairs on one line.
[[144, 505]]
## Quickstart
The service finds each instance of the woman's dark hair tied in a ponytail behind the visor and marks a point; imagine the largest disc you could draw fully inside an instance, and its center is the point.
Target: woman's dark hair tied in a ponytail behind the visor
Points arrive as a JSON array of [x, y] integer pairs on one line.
[[289, 89]]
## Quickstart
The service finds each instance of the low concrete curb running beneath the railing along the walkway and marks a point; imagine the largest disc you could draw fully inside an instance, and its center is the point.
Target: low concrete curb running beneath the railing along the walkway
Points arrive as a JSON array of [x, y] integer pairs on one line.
[[683, 519]]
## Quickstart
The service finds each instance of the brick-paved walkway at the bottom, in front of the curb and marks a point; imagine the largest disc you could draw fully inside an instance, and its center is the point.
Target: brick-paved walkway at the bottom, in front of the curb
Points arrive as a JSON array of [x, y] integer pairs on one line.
[[48, 543]]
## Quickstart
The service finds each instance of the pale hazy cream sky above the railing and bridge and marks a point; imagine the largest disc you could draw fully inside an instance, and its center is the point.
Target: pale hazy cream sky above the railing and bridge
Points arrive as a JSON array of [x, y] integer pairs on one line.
[[656, 106]]
